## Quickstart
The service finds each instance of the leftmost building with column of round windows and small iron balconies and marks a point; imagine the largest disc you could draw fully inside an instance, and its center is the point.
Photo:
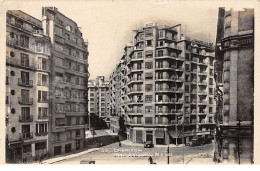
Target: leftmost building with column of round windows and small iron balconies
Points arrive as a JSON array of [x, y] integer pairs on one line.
[[27, 88]]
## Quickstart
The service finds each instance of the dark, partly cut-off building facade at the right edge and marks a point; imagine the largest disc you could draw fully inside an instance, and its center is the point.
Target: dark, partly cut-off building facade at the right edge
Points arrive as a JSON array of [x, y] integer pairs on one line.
[[235, 85]]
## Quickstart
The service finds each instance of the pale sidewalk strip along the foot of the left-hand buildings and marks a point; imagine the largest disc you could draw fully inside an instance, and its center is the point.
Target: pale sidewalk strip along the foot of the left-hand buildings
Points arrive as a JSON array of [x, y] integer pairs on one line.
[[61, 158]]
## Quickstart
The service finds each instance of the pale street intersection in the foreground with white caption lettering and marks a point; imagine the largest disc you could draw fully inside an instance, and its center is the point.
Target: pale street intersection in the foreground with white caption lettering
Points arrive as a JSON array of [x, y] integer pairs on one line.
[[129, 154]]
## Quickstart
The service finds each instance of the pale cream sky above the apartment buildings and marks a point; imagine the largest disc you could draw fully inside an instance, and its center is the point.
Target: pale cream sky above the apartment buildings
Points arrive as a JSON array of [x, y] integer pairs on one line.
[[108, 25]]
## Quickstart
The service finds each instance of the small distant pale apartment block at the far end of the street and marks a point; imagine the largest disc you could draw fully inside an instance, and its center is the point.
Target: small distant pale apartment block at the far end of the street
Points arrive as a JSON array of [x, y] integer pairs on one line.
[[98, 100]]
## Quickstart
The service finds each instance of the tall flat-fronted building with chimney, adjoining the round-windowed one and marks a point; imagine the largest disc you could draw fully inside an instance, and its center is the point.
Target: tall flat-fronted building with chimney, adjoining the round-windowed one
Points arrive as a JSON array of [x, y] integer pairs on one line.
[[68, 82]]
